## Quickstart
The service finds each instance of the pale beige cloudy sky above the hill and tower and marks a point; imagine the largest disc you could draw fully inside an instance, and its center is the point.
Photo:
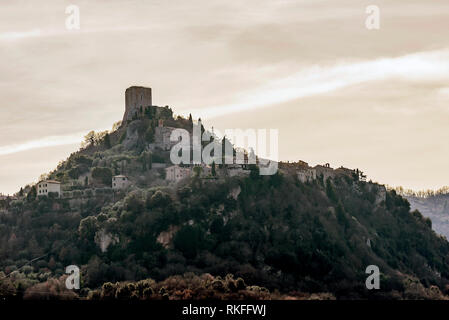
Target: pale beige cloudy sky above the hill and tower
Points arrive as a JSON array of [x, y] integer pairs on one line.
[[338, 92]]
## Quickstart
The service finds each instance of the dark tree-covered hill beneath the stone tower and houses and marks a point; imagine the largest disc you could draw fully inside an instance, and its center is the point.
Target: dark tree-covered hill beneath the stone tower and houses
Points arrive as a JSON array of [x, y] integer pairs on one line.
[[302, 230]]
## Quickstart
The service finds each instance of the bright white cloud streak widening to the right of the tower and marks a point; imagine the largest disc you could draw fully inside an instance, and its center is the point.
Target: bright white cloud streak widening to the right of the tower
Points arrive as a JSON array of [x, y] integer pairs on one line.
[[420, 67]]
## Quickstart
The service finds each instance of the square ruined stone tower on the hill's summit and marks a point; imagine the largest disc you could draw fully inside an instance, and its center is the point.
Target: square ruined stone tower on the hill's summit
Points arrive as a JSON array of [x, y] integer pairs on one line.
[[137, 99]]
